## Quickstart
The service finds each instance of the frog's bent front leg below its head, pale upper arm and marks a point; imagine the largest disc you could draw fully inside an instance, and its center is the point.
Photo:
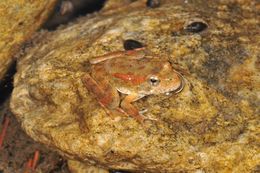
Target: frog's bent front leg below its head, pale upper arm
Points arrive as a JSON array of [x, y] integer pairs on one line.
[[130, 109]]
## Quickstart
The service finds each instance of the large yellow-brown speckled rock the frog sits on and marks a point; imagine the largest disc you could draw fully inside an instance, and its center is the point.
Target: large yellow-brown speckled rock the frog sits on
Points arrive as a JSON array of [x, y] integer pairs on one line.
[[211, 126]]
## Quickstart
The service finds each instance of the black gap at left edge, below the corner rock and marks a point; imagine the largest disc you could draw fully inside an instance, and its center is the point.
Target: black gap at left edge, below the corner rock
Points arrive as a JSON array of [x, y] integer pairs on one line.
[[6, 84]]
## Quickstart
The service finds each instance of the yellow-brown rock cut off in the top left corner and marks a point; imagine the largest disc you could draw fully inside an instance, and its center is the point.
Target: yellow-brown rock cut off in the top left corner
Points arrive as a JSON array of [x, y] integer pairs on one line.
[[18, 21]]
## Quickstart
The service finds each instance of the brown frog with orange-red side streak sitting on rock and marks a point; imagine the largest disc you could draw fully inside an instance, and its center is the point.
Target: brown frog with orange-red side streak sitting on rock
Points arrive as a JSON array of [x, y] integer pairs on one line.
[[133, 73]]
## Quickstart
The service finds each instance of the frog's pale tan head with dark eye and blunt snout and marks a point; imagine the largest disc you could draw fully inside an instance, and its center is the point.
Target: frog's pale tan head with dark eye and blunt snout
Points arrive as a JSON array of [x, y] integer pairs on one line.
[[165, 81]]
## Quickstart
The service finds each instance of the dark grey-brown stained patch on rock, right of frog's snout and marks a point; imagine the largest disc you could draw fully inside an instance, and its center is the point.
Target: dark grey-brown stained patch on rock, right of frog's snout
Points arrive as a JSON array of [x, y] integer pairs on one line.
[[219, 61]]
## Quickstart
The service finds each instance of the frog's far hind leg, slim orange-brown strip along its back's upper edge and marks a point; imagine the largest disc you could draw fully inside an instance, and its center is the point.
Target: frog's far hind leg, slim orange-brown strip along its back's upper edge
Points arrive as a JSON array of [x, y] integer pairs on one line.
[[130, 54]]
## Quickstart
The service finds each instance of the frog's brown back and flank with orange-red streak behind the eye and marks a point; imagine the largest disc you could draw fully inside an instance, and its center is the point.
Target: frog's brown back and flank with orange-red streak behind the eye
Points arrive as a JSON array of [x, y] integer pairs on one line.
[[127, 74]]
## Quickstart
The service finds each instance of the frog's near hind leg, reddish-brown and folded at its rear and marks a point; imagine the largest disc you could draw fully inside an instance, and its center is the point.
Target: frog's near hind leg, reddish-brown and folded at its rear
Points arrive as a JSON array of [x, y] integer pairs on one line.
[[107, 96]]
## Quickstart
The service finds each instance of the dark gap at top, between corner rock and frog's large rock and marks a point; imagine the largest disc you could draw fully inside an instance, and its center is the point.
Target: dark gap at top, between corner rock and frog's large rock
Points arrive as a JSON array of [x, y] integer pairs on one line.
[[67, 10]]
